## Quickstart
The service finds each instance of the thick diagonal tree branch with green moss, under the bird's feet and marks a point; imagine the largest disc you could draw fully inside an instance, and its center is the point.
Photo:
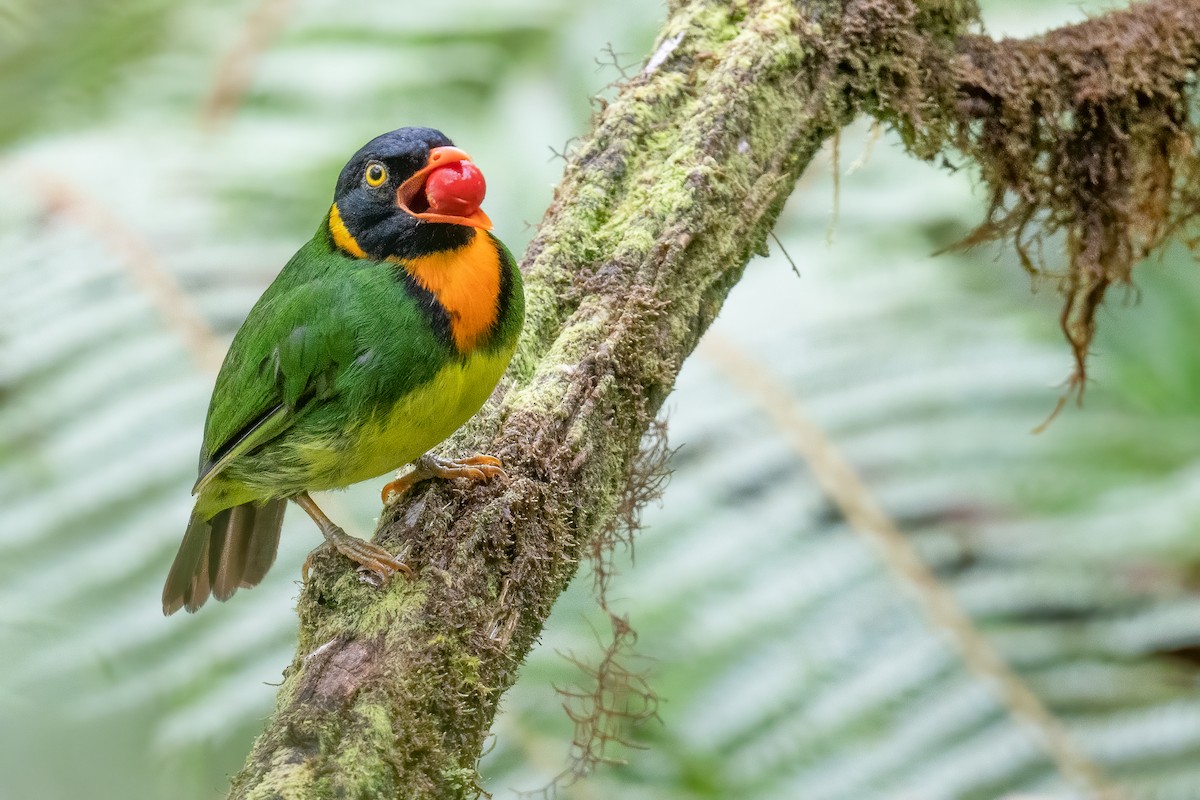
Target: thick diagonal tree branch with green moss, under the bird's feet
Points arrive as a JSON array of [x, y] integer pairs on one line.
[[392, 694]]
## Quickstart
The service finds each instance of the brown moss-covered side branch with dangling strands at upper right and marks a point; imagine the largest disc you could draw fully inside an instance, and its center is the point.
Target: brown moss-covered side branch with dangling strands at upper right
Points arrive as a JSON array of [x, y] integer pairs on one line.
[[1087, 133]]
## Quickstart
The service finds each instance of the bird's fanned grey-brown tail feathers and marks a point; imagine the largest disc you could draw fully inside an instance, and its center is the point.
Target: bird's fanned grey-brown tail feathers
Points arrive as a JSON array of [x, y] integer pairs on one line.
[[233, 549]]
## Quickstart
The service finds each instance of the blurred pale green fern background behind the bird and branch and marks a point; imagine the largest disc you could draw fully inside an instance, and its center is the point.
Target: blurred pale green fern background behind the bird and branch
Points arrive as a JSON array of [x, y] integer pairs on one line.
[[140, 207]]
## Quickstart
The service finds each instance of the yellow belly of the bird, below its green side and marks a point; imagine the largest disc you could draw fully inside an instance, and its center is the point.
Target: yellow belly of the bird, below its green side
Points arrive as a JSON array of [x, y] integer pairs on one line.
[[418, 423]]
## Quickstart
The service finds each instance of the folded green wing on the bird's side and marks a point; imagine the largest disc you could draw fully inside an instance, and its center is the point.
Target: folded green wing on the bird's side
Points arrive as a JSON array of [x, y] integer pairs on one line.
[[286, 356]]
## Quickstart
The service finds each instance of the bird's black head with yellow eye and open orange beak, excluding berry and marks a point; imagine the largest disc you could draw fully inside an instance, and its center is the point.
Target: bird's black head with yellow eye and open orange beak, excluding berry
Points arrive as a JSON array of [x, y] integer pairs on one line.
[[381, 208]]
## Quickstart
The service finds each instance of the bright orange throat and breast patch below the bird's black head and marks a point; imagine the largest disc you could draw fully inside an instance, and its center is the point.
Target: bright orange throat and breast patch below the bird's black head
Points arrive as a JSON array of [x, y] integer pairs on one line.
[[467, 284]]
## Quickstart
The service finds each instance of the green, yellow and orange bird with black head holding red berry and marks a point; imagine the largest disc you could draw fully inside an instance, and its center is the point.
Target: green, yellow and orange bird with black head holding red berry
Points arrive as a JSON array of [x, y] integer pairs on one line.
[[383, 335]]
